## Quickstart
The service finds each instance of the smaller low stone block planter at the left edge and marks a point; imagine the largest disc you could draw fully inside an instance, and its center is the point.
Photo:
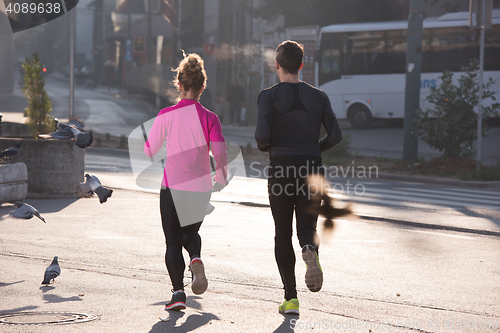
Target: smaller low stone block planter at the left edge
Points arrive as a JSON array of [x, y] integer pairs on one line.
[[13, 182]]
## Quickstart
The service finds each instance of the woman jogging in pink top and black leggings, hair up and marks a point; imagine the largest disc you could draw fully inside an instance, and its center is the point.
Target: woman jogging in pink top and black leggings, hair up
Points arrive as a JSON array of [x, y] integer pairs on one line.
[[189, 131]]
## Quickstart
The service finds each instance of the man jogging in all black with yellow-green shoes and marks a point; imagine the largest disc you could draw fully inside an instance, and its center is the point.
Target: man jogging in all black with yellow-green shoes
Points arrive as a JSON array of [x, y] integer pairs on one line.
[[290, 115]]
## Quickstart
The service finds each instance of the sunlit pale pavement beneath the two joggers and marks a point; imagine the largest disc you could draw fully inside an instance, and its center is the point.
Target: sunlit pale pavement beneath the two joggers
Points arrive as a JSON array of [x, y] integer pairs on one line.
[[378, 275]]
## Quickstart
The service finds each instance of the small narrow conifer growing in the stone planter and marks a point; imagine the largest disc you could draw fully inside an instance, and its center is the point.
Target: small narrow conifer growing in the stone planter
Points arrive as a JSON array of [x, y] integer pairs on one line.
[[39, 104]]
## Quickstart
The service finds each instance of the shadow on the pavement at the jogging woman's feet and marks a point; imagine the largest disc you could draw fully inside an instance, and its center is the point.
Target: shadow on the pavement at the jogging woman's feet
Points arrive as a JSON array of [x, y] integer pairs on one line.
[[191, 323]]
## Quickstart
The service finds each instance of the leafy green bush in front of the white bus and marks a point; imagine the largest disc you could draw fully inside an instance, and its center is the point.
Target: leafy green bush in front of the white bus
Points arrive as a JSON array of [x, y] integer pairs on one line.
[[451, 127]]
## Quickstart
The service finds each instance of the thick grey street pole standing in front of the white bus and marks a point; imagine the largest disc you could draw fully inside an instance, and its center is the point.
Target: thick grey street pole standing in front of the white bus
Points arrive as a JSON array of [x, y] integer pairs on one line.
[[412, 90]]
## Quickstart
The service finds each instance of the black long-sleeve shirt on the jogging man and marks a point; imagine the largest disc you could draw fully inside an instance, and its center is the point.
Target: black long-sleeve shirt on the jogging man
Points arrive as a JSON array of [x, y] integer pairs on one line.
[[289, 120]]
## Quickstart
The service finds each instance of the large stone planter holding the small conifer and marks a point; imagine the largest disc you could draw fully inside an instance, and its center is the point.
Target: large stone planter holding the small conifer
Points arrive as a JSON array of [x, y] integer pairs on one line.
[[55, 167]]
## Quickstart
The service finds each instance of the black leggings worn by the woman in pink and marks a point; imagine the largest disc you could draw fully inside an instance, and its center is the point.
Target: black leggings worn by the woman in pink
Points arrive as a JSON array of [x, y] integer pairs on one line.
[[177, 237]]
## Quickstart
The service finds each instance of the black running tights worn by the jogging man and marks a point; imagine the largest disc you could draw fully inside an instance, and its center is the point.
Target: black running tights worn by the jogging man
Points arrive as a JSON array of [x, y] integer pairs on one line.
[[288, 193]]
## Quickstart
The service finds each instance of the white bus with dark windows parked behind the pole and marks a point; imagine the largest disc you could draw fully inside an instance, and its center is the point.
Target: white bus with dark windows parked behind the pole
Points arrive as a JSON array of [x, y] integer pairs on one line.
[[361, 66]]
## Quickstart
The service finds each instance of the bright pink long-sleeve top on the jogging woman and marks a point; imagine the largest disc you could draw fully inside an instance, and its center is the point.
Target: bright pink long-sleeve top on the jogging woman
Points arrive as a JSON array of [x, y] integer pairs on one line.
[[189, 132]]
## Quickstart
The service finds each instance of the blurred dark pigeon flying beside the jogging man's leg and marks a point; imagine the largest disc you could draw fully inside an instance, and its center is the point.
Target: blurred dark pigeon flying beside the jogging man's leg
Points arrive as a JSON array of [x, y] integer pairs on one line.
[[326, 207]]
